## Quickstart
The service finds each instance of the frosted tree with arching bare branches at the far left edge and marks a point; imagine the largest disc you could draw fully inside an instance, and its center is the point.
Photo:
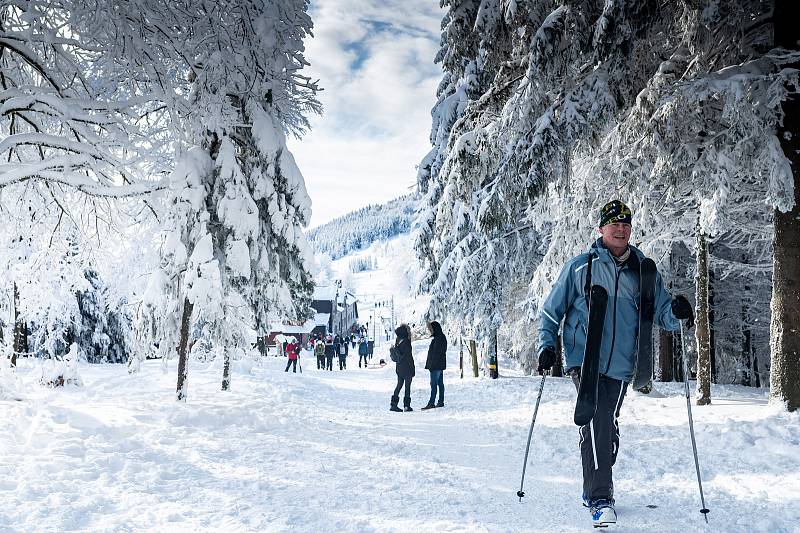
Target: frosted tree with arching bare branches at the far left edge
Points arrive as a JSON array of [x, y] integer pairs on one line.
[[77, 134]]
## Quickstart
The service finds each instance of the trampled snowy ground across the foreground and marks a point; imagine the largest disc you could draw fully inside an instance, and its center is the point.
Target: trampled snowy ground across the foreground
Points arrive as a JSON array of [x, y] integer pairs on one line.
[[321, 452]]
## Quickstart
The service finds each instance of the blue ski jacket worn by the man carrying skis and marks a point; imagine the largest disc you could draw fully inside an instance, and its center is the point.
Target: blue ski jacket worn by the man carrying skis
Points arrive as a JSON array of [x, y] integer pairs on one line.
[[567, 301]]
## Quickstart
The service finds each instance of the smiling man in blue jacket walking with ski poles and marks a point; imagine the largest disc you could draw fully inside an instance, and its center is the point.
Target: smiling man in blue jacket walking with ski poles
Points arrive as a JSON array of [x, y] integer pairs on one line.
[[615, 266]]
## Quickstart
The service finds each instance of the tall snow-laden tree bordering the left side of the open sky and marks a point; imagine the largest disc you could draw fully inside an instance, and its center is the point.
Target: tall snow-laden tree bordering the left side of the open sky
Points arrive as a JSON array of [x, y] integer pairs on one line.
[[234, 251]]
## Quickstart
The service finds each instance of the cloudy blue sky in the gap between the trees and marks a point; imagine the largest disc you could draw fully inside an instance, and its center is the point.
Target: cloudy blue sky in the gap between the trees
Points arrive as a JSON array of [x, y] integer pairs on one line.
[[374, 59]]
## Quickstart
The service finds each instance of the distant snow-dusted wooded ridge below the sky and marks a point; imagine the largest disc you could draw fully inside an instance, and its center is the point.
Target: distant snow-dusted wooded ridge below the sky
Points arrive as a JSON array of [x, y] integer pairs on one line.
[[364, 226]]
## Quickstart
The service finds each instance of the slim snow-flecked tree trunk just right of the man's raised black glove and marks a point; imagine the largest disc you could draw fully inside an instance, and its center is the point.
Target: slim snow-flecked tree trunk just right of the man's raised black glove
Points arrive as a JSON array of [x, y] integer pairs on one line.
[[702, 331]]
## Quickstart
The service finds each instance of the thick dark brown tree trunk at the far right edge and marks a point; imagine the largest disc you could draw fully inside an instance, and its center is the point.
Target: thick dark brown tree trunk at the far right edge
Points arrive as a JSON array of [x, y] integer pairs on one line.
[[785, 326]]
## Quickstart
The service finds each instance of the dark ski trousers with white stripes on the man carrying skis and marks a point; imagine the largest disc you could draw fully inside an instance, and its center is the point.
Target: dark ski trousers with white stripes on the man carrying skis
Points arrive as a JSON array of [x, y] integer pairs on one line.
[[599, 439]]
